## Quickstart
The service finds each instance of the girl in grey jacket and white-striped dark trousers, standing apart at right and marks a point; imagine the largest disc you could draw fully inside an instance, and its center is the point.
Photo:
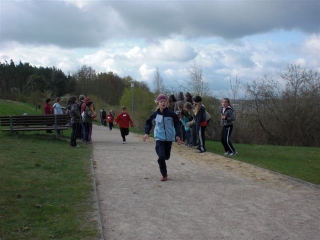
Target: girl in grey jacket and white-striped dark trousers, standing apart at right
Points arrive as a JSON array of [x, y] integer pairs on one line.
[[227, 117]]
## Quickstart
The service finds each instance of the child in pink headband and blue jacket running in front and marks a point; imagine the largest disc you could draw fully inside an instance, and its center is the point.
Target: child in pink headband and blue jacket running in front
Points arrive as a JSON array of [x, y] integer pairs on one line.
[[166, 130]]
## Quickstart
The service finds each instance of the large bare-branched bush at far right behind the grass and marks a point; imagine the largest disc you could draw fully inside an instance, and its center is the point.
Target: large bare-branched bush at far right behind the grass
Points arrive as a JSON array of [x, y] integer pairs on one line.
[[288, 112]]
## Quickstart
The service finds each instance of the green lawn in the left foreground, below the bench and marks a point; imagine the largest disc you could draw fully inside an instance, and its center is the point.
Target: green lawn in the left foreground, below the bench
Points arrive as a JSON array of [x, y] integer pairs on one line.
[[46, 189]]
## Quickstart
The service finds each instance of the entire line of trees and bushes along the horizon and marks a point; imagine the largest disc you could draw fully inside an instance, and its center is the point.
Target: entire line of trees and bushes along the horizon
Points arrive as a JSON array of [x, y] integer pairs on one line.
[[280, 110]]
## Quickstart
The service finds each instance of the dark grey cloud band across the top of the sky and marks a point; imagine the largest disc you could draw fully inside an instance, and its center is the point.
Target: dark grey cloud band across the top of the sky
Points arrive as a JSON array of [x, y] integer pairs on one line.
[[74, 24]]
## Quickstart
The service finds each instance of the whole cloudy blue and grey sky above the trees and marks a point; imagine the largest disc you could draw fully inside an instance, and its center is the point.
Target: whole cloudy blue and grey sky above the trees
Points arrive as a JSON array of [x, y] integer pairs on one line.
[[228, 39]]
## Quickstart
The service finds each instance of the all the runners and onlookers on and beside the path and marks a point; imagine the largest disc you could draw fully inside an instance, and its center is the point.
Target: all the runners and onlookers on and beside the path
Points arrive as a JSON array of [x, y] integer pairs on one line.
[[183, 120]]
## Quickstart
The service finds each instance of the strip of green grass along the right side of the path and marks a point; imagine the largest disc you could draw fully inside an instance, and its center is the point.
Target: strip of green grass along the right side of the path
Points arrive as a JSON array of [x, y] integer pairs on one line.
[[298, 162]]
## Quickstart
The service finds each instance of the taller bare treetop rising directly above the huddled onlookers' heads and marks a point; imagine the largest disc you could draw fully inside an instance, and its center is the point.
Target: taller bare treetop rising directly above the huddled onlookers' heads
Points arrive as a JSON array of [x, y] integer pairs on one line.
[[196, 82]]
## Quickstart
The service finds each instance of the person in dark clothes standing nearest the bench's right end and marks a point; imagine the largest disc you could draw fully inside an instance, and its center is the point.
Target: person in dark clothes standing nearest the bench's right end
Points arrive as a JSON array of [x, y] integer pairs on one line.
[[75, 118]]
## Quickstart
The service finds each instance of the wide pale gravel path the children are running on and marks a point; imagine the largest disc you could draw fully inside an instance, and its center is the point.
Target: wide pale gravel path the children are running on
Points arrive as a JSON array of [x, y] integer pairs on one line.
[[206, 197]]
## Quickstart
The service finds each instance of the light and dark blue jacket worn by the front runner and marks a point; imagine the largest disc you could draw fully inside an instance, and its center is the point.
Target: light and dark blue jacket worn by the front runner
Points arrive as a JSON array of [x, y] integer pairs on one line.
[[167, 125]]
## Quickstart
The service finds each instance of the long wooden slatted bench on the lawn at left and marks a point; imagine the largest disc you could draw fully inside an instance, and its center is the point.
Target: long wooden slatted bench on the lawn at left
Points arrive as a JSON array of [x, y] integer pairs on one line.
[[35, 122]]
